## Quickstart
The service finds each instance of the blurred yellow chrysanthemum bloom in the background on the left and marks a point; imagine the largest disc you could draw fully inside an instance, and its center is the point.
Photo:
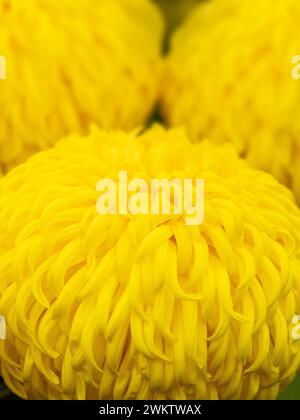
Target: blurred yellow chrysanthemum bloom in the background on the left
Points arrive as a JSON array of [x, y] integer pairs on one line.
[[73, 63]]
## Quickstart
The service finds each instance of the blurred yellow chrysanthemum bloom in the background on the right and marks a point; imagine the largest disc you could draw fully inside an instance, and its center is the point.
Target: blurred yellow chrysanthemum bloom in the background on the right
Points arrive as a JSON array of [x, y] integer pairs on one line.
[[229, 76]]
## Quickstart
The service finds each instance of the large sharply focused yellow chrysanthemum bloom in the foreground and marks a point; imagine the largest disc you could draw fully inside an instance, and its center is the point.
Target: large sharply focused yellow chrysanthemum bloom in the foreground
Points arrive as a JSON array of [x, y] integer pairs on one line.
[[124, 306]]
